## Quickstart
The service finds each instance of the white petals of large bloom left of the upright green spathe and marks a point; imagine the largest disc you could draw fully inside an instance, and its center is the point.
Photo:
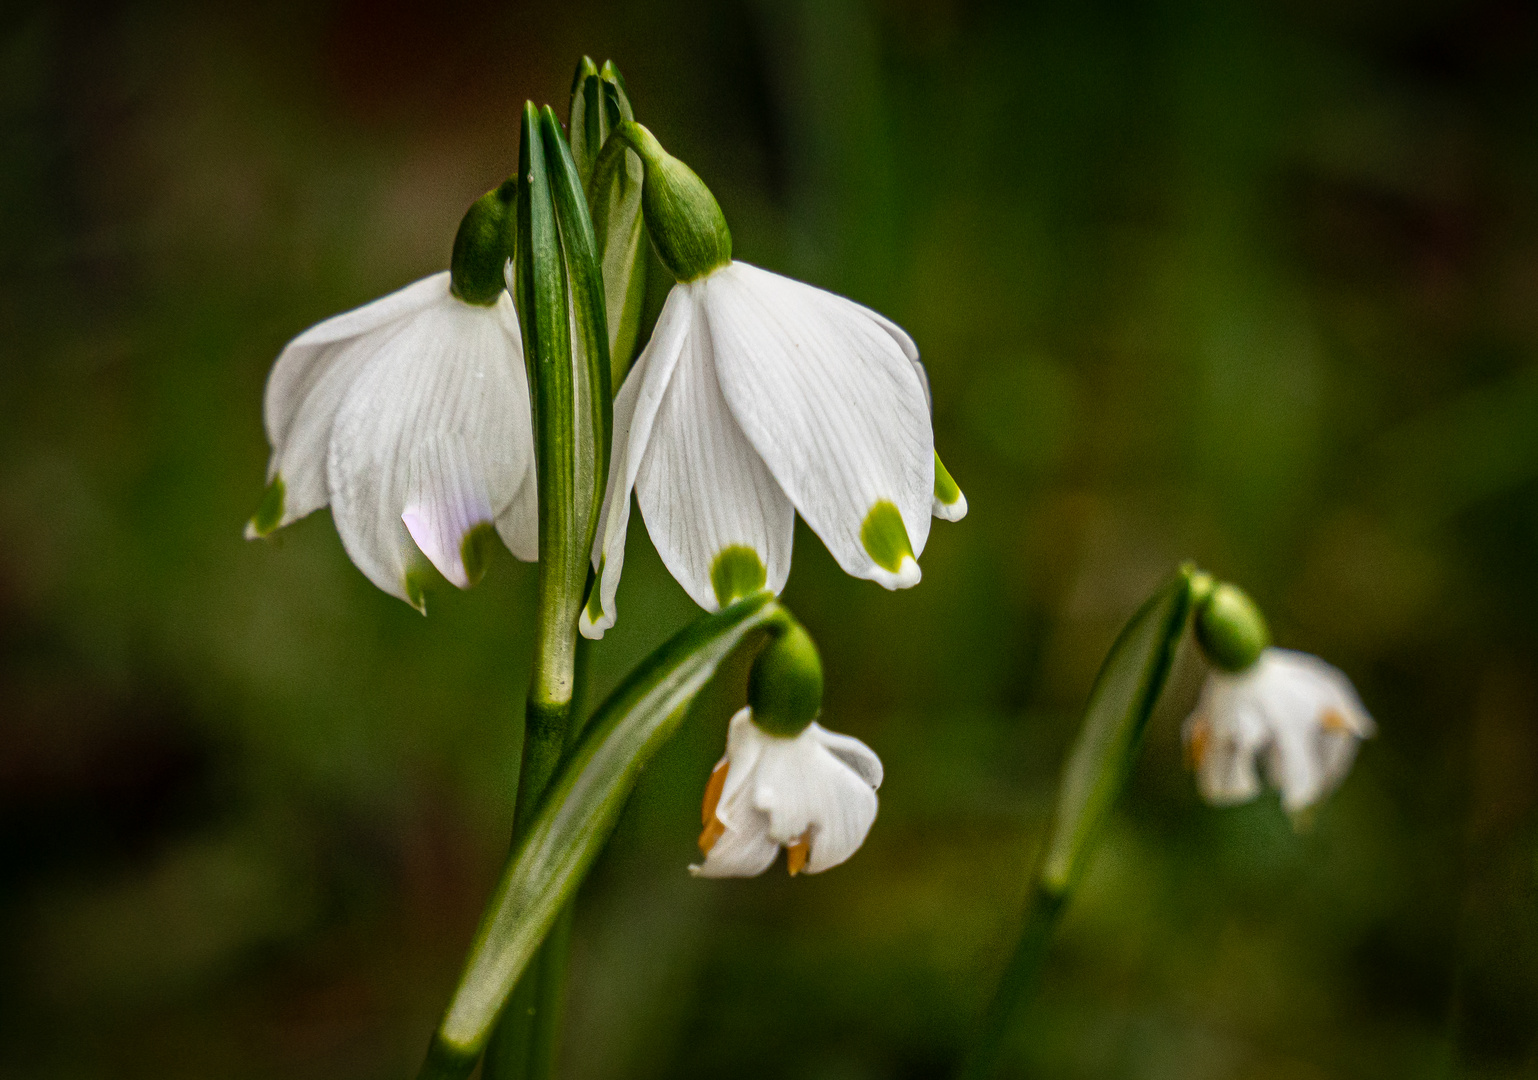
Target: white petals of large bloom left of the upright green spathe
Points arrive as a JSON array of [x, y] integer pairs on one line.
[[411, 419]]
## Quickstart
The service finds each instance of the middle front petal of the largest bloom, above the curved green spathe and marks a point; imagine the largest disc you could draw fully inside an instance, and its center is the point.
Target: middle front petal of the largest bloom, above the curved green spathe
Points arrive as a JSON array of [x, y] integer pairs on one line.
[[702, 488]]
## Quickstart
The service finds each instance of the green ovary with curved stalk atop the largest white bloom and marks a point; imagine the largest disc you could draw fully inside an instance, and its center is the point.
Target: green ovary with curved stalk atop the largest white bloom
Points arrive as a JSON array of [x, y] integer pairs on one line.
[[684, 219]]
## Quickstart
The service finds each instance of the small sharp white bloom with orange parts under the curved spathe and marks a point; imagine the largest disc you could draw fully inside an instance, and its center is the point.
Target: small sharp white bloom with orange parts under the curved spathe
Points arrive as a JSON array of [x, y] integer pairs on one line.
[[813, 795]]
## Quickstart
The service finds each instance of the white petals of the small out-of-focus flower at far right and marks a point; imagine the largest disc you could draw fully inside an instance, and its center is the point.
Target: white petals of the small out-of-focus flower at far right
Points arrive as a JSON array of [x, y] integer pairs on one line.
[[1290, 716]]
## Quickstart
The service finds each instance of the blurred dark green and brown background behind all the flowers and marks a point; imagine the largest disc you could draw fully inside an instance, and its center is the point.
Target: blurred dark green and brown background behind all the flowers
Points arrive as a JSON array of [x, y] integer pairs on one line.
[[1254, 284]]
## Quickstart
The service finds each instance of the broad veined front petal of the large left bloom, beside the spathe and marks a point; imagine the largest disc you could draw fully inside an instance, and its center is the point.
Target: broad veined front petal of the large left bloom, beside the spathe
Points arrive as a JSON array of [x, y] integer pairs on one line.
[[453, 373]]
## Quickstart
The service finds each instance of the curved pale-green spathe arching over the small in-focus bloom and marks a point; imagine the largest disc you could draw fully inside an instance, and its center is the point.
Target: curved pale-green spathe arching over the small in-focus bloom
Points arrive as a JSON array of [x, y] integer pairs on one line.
[[578, 816]]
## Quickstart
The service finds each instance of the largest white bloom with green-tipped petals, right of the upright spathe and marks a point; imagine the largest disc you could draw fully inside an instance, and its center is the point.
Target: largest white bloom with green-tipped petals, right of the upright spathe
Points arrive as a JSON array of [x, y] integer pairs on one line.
[[757, 398]]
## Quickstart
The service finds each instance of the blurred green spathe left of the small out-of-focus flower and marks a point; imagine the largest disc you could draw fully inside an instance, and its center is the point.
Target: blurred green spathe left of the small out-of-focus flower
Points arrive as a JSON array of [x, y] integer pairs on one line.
[[1119, 710]]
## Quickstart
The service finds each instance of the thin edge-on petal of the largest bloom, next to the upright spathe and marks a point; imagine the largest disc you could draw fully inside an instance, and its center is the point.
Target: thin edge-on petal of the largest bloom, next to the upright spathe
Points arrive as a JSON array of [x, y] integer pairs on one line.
[[634, 413]]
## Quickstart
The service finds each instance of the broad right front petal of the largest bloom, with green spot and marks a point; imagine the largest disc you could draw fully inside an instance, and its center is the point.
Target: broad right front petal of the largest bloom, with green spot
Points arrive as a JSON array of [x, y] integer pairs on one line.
[[831, 402]]
